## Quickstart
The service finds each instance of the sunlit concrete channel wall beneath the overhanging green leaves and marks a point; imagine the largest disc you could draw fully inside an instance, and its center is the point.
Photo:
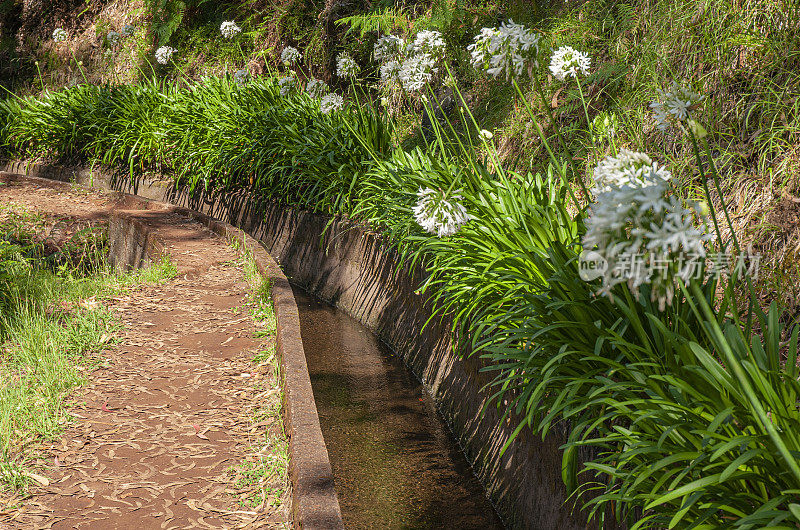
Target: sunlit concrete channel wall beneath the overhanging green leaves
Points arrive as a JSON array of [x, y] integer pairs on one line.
[[352, 268]]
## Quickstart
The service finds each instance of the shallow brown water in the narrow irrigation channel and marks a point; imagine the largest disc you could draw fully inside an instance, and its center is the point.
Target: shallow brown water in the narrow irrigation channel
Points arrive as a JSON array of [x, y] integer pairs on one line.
[[394, 462]]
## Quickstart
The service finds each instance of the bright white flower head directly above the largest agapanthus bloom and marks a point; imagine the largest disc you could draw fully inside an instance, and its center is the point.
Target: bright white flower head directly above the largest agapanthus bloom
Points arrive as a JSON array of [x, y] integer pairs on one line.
[[628, 168]]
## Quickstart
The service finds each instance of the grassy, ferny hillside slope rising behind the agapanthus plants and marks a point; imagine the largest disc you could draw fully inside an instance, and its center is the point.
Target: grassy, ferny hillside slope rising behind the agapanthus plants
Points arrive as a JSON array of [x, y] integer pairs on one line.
[[743, 55]]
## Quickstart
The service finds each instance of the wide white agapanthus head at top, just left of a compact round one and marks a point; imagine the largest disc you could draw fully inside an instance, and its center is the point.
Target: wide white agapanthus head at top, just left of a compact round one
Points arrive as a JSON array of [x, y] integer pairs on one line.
[[504, 50]]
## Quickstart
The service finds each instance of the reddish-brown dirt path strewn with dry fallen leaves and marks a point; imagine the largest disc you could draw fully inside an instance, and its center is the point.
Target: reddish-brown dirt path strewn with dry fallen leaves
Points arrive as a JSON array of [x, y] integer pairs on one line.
[[162, 423]]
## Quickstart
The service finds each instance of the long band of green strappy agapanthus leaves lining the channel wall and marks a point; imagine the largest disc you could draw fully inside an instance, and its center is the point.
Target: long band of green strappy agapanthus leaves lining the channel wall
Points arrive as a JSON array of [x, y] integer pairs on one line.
[[674, 399]]
